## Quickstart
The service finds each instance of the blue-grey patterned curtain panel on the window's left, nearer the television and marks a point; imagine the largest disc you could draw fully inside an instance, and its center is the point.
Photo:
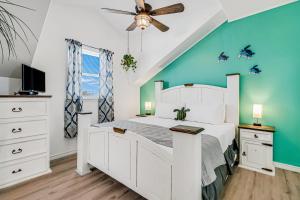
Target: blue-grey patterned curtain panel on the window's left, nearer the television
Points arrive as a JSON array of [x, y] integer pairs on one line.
[[73, 102]]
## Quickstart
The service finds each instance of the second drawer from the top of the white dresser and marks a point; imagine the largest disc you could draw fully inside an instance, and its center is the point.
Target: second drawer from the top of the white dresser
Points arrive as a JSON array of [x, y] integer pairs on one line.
[[13, 130]]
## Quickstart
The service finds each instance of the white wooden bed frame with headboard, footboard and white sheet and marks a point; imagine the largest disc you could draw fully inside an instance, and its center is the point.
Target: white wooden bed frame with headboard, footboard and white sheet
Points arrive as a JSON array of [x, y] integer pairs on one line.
[[152, 170]]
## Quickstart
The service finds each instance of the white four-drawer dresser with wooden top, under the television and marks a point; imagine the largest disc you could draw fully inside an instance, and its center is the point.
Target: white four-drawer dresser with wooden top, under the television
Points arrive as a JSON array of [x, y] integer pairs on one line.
[[24, 138]]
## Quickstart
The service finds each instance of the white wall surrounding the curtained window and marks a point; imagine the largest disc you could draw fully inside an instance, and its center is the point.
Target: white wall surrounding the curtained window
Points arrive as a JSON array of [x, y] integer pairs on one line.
[[88, 27]]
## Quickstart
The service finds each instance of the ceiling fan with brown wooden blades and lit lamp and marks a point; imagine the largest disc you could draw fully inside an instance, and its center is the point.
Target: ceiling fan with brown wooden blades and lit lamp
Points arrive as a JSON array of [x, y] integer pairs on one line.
[[143, 13]]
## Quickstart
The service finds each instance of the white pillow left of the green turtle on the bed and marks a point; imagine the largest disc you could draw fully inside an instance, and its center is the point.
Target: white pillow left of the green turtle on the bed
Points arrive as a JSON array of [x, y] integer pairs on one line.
[[165, 110]]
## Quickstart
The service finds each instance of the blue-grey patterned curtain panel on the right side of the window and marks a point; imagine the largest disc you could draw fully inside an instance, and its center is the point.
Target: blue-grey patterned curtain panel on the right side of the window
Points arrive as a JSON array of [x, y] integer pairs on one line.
[[106, 101]]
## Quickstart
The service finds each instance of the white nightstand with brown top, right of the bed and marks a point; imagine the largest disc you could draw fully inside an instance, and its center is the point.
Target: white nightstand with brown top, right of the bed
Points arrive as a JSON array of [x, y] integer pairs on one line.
[[256, 148]]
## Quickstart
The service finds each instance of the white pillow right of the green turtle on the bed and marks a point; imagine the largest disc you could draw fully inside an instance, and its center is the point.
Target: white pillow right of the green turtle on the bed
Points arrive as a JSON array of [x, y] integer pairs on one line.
[[206, 113]]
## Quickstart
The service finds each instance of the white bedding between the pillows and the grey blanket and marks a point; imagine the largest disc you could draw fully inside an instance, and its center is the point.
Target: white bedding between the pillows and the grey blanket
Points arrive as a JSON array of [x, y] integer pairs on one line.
[[225, 132]]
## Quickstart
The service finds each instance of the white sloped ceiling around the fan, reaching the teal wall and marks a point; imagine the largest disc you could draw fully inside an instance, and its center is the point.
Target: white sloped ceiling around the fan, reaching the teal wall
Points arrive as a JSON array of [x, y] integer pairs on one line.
[[158, 49]]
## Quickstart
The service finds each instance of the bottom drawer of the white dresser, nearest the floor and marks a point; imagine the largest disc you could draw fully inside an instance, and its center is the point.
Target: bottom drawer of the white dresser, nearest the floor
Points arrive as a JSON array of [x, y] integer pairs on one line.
[[22, 170]]
